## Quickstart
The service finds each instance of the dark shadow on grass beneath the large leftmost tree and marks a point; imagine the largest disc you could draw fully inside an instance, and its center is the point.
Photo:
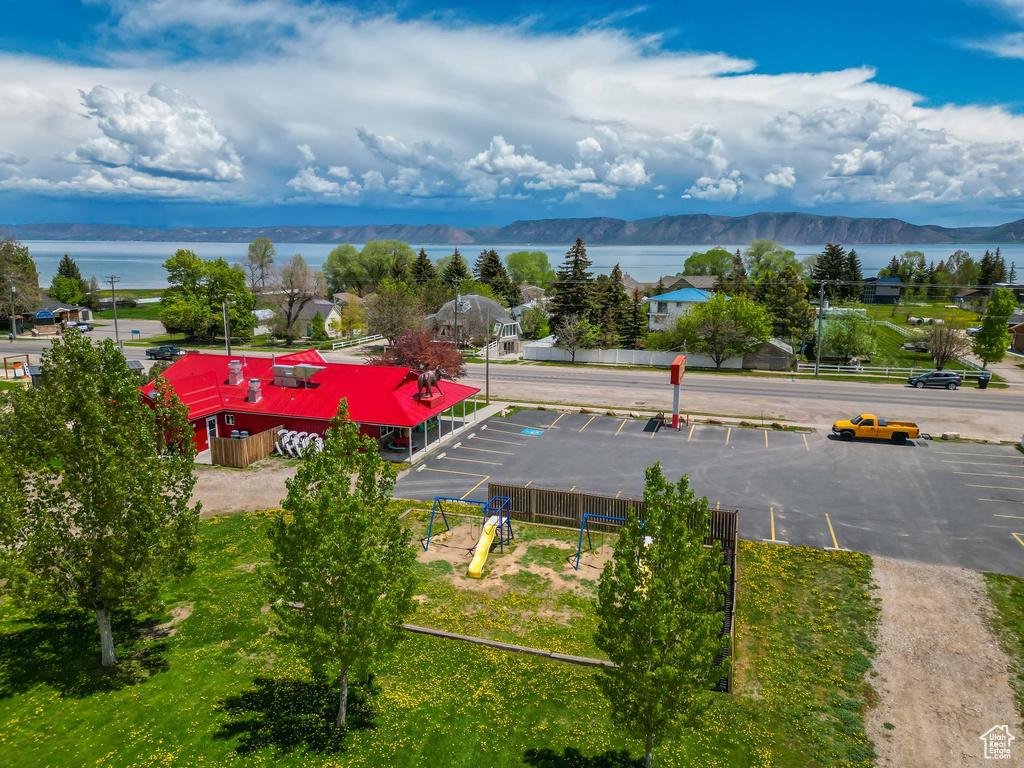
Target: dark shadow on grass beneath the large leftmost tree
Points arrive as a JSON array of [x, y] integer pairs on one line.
[[61, 650]]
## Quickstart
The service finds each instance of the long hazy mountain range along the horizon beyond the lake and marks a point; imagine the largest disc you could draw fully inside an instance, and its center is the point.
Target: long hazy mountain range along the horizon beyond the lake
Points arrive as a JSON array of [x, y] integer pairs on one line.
[[789, 229]]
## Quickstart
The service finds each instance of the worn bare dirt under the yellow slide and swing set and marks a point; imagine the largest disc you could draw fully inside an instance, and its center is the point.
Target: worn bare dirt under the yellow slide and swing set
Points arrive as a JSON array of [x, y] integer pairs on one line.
[[456, 546]]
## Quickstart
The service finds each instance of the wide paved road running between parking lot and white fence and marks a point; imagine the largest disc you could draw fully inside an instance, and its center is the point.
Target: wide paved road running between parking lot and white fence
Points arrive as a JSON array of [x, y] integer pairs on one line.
[[991, 414]]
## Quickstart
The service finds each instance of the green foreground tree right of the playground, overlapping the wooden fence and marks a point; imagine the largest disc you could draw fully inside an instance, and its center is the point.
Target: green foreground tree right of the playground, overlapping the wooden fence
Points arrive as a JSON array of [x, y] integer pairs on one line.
[[660, 614]]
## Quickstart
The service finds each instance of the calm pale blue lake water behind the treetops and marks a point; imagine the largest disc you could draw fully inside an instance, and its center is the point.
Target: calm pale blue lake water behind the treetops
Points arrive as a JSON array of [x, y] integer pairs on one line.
[[139, 265]]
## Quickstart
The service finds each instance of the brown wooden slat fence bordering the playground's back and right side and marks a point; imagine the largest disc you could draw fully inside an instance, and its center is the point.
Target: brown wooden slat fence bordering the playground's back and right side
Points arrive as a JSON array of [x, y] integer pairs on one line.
[[566, 509]]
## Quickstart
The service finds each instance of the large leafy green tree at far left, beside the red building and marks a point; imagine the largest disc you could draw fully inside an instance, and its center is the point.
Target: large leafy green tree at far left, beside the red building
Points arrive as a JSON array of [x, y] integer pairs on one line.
[[103, 482]]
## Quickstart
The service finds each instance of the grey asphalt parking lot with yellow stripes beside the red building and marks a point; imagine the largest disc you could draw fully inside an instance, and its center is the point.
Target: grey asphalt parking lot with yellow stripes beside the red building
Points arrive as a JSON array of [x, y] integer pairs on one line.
[[947, 503]]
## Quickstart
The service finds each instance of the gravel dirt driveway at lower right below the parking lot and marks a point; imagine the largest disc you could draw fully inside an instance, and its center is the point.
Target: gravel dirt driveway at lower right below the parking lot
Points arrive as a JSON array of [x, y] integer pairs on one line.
[[942, 677]]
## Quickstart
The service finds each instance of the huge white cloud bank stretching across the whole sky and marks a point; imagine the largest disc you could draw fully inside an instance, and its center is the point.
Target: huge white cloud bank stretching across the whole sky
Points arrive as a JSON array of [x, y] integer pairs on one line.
[[537, 116]]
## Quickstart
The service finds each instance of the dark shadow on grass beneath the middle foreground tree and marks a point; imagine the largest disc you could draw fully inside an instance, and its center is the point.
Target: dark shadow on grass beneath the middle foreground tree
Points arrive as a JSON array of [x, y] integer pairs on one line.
[[295, 714]]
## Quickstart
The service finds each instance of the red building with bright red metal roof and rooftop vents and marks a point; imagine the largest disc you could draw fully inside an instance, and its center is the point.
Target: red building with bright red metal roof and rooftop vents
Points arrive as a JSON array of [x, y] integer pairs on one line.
[[302, 392]]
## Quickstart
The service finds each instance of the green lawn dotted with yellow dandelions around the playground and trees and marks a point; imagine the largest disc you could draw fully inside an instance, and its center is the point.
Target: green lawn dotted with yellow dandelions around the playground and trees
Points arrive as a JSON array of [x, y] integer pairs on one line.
[[224, 692]]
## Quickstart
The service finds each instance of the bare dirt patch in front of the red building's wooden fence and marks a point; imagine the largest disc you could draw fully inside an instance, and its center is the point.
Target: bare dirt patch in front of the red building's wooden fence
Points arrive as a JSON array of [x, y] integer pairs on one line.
[[224, 491]]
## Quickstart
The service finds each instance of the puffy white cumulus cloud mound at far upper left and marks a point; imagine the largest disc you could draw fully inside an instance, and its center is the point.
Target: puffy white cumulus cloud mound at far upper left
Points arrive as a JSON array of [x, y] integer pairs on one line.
[[162, 133]]
